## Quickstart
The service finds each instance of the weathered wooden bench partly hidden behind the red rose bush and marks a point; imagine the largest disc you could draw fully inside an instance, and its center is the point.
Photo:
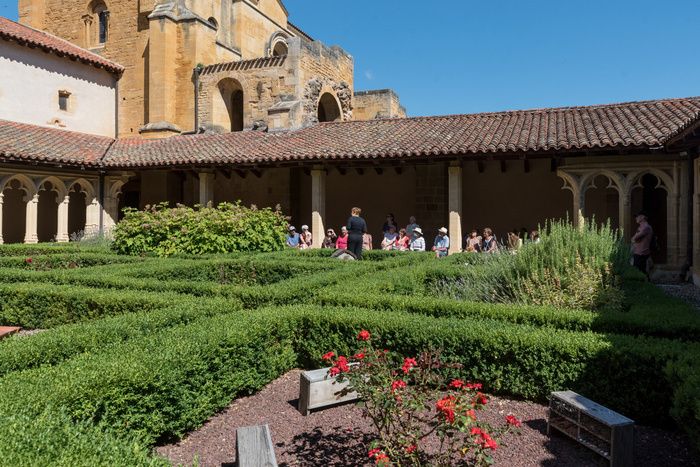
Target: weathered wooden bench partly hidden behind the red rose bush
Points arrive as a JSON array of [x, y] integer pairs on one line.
[[317, 390]]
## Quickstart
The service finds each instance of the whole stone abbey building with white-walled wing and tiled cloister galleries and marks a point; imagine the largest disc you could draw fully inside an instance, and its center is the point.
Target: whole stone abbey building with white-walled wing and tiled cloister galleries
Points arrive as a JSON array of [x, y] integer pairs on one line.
[[216, 101]]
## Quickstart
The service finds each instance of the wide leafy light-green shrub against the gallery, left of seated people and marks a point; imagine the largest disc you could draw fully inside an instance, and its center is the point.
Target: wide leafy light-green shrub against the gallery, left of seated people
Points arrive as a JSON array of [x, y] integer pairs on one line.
[[203, 230]]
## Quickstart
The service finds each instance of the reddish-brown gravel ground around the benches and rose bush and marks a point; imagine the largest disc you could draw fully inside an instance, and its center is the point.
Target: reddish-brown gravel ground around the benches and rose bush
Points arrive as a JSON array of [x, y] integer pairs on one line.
[[339, 436]]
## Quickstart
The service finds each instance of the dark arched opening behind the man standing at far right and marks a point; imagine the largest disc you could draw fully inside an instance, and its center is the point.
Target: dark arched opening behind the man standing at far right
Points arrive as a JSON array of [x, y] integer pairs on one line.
[[649, 196]]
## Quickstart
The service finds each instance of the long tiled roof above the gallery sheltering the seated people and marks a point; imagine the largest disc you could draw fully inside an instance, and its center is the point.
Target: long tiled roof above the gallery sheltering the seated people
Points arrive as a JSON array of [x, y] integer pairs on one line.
[[640, 125]]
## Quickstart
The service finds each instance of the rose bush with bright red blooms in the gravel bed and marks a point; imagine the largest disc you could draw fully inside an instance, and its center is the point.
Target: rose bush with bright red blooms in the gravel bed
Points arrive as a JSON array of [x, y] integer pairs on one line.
[[409, 403]]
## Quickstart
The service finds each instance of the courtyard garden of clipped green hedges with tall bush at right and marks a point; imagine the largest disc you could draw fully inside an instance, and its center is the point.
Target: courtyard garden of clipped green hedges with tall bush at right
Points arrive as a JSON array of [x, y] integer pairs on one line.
[[138, 351]]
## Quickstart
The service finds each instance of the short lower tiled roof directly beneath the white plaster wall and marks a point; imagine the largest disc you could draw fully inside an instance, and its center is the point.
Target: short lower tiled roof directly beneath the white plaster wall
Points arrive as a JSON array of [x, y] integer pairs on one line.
[[22, 142]]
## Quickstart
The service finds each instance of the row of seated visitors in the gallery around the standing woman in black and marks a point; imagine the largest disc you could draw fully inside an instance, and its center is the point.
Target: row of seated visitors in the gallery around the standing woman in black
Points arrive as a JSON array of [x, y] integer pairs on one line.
[[411, 238]]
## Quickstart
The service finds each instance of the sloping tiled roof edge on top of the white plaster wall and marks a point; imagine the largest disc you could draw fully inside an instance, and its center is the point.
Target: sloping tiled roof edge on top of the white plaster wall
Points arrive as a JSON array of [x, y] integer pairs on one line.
[[12, 31]]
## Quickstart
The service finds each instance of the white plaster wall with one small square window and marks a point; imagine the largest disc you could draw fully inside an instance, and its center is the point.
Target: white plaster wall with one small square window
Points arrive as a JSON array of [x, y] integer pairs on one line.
[[30, 80]]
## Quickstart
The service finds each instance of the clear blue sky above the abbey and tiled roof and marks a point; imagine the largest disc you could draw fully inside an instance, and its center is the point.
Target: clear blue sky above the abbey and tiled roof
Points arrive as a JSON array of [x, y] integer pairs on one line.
[[463, 56]]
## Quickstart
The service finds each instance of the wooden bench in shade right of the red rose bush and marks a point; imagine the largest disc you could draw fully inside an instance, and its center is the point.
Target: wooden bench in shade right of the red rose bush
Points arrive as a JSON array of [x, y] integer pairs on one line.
[[600, 429]]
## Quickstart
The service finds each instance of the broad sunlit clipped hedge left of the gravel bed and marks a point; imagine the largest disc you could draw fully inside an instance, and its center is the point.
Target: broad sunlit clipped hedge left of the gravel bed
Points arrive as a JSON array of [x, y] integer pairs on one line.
[[159, 387]]
